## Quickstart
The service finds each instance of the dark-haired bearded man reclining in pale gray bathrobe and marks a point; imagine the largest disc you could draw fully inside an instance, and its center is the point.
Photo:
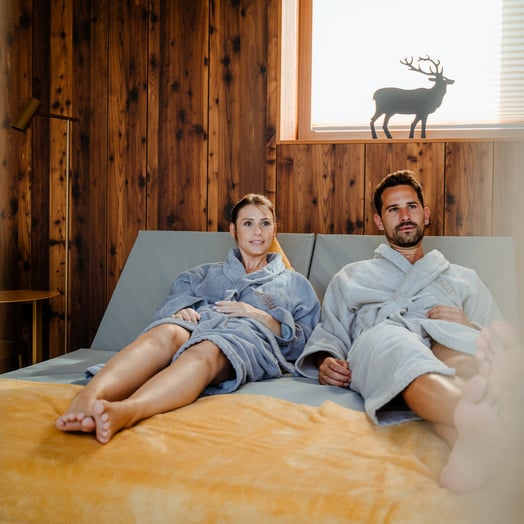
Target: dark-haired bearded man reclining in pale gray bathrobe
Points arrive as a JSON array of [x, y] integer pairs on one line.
[[401, 328]]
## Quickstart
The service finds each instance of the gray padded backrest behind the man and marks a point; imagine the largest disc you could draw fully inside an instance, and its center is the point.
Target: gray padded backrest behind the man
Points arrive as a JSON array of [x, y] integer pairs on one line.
[[492, 257]]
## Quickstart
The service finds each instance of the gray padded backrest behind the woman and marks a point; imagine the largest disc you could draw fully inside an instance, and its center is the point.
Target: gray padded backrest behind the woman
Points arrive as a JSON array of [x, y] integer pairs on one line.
[[156, 258]]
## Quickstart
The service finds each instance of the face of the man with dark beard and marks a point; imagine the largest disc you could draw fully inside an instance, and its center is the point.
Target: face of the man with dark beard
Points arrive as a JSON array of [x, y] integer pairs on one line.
[[403, 218]]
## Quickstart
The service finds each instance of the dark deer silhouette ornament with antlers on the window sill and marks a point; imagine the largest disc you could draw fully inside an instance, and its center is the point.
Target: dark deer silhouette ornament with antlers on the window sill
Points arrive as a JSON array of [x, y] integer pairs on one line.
[[420, 102]]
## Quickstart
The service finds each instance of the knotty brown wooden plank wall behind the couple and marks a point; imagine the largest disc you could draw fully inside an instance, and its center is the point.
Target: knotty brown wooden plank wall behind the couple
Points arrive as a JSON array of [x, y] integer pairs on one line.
[[178, 102]]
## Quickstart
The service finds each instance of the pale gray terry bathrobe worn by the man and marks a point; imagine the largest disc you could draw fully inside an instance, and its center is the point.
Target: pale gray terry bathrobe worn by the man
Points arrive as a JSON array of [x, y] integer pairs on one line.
[[374, 314]]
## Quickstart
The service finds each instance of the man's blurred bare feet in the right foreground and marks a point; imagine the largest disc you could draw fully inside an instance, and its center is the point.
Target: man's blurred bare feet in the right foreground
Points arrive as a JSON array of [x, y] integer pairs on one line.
[[487, 418]]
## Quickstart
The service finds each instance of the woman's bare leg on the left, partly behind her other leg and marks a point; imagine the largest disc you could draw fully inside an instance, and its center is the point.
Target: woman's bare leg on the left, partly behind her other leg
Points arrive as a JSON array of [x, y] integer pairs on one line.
[[123, 374]]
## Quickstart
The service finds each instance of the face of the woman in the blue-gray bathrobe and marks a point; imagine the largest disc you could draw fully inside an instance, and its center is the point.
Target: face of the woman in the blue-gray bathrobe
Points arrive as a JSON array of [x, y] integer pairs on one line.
[[254, 230]]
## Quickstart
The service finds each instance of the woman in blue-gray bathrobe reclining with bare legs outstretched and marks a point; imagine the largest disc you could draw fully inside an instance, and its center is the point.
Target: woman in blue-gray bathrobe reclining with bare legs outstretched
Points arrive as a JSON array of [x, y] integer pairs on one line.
[[223, 324]]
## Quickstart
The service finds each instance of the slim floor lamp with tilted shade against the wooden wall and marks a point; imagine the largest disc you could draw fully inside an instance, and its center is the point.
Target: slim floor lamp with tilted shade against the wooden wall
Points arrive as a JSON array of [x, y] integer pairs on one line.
[[28, 111]]
